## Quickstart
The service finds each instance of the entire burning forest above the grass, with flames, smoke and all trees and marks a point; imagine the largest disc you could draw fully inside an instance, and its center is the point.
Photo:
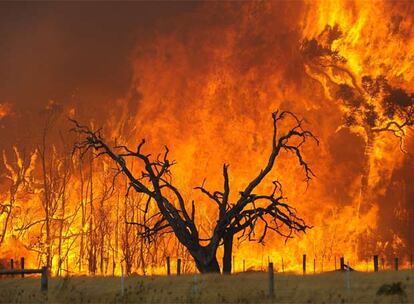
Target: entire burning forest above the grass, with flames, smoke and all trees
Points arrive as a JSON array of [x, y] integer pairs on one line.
[[225, 134]]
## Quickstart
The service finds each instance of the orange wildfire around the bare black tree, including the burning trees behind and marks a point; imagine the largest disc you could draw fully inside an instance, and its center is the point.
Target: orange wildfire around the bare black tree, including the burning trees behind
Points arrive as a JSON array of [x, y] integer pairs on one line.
[[205, 89]]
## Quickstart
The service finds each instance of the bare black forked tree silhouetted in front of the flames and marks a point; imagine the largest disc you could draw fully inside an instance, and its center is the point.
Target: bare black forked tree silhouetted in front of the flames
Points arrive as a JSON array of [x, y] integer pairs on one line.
[[250, 213]]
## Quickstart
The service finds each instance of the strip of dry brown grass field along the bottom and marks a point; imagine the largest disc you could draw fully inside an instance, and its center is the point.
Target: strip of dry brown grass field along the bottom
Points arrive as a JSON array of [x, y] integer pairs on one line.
[[238, 288]]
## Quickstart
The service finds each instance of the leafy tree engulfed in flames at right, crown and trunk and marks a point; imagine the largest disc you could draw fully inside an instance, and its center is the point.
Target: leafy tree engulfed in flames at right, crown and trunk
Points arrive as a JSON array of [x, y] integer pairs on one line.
[[371, 105]]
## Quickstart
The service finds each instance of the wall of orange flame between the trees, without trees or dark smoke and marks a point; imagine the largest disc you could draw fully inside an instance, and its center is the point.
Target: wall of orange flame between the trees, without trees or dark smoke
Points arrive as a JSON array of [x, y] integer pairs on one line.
[[204, 84]]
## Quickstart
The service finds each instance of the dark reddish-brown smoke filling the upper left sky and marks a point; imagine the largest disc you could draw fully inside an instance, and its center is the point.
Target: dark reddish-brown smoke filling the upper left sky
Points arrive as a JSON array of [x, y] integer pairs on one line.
[[77, 54]]
